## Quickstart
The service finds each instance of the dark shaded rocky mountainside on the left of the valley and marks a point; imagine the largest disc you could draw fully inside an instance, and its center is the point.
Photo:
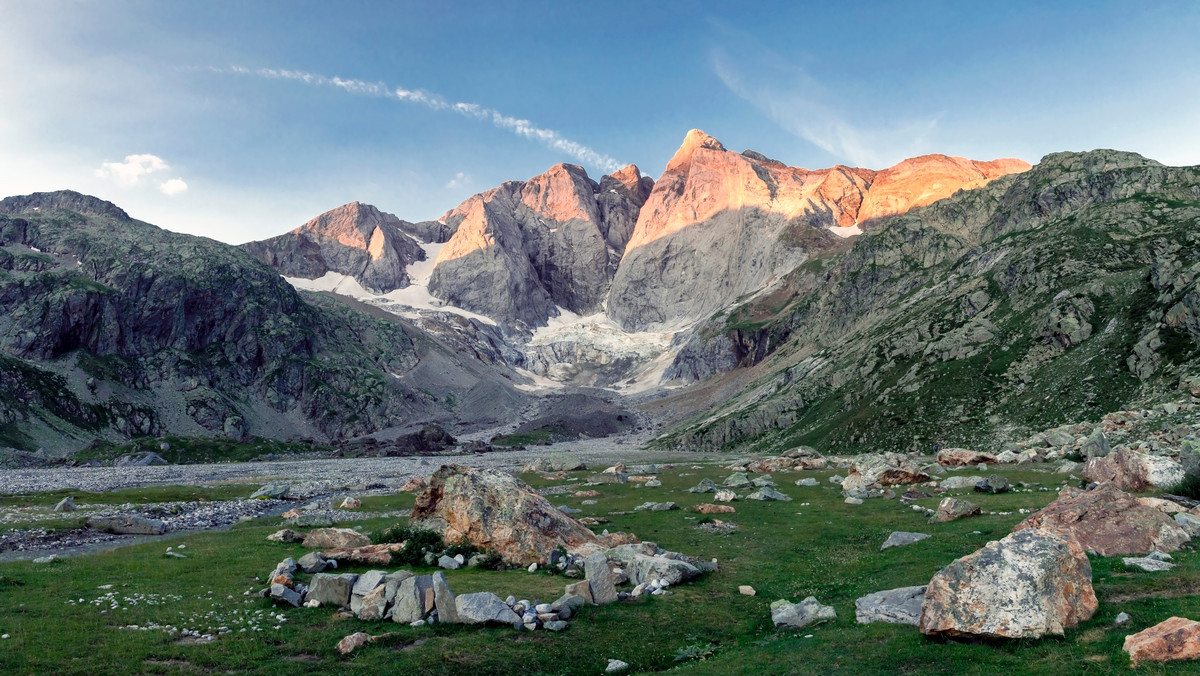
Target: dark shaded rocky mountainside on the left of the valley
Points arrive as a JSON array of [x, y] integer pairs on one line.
[[113, 328]]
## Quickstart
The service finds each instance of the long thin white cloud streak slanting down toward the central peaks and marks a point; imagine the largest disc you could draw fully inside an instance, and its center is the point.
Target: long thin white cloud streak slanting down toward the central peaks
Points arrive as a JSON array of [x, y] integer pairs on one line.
[[550, 139]]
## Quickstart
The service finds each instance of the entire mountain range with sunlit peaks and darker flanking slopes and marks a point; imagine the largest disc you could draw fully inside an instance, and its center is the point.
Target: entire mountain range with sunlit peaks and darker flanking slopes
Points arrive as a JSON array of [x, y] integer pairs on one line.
[[737, 301]]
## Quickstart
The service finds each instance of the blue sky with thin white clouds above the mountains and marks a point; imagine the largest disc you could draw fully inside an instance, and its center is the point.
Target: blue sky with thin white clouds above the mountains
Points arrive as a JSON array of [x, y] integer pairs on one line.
[[242, 121]]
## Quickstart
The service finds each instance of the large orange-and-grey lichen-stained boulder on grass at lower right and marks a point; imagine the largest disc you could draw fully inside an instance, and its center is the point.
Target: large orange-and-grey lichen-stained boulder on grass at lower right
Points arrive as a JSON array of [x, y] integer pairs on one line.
[[1030, 584]]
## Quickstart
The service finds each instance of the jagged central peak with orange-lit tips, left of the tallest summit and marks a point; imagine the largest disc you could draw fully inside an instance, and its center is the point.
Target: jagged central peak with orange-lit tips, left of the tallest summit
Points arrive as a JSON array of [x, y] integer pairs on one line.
[[526, 249]]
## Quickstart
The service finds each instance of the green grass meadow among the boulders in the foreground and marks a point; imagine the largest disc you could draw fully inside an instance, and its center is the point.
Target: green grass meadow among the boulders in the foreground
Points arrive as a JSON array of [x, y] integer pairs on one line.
[[826, 549]]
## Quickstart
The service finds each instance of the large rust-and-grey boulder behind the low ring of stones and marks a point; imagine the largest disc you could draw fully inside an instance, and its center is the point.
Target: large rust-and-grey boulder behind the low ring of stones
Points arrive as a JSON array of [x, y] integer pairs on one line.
[[496, 512]]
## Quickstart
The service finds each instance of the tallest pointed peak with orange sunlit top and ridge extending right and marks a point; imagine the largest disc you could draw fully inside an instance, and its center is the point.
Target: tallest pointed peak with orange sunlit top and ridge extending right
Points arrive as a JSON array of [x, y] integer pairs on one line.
[[722, 225]]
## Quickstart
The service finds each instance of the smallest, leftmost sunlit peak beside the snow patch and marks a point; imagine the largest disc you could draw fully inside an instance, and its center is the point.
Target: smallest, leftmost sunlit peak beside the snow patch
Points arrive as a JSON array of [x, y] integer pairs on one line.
[[356, 240]]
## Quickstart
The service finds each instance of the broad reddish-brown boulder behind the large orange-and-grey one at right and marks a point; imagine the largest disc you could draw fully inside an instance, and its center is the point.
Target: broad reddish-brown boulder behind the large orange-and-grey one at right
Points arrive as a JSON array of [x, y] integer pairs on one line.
[[1108, 522]]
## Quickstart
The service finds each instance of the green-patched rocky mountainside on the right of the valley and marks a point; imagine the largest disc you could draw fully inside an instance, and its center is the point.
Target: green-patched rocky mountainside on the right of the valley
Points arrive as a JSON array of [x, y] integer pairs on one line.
[[1054, 295]]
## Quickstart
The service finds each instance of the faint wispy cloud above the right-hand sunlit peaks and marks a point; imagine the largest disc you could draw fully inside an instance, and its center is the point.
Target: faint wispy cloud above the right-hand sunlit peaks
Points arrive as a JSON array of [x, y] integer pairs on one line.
[[803, 106]]
